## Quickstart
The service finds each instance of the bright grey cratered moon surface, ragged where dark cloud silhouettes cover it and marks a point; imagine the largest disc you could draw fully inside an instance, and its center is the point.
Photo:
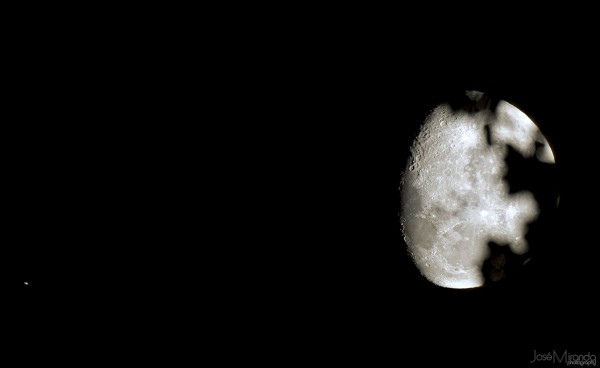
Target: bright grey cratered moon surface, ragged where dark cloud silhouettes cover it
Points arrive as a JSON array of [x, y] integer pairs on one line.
[[454, 199]]
